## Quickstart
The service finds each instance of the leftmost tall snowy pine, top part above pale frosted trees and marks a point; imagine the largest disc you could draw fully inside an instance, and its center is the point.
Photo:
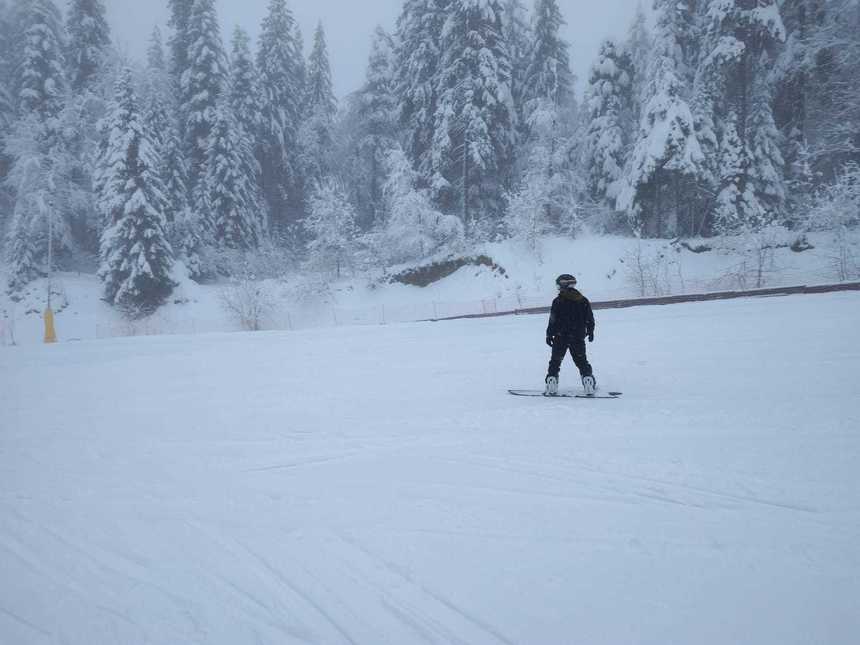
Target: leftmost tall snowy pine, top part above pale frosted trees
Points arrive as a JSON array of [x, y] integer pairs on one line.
[[41, 76]]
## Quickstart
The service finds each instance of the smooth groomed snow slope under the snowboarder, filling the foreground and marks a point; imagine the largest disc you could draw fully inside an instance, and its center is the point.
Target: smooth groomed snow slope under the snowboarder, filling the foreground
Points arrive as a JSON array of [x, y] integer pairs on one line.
[[378, 485]]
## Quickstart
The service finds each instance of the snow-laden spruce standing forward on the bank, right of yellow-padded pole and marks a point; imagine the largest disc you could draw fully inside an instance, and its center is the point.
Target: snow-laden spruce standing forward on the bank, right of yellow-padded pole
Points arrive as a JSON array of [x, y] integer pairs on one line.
[[136, 257]]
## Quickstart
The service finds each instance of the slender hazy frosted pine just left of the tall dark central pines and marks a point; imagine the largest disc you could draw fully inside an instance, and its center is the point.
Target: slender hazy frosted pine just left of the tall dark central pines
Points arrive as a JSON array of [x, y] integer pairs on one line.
[[375, 107]]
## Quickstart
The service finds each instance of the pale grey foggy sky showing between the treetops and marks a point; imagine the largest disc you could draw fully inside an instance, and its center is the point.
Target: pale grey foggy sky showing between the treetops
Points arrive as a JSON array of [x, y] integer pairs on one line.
[[349, 26]]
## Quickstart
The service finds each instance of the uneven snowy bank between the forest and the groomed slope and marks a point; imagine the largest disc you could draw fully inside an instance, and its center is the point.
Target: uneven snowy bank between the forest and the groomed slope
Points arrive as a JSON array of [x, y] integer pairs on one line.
[[602, 264]]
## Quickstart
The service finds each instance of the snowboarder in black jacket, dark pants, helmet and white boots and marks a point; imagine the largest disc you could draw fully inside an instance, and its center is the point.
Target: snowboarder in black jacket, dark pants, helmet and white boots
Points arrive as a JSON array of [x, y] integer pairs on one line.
[[571, 321]]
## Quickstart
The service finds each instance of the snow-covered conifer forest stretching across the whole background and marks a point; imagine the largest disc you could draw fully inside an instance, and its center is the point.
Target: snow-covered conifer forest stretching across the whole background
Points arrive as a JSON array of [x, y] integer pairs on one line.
[[731, 116]]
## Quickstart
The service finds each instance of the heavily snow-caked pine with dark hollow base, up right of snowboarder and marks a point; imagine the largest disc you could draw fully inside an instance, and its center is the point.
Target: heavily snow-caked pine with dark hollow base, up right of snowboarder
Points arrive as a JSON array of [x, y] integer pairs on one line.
[[664, 175]]
